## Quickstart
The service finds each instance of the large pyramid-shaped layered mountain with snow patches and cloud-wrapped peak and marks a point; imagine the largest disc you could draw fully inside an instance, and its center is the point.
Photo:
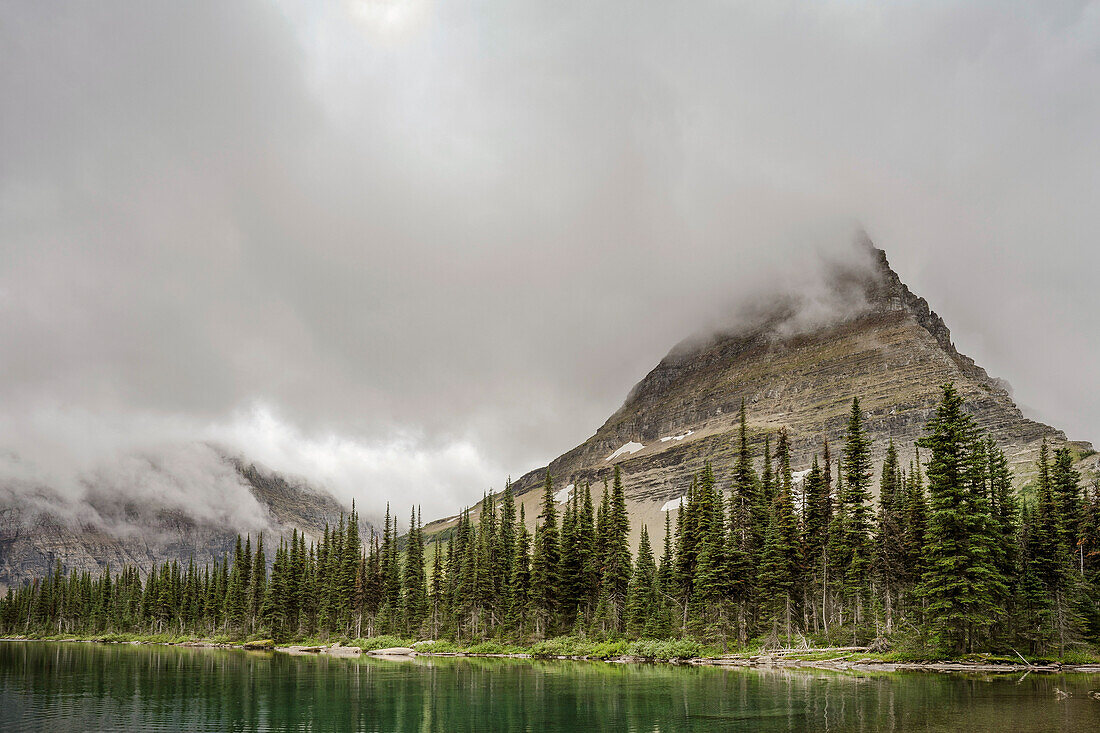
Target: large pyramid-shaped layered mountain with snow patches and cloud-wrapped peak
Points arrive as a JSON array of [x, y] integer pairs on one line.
[[797, 364]]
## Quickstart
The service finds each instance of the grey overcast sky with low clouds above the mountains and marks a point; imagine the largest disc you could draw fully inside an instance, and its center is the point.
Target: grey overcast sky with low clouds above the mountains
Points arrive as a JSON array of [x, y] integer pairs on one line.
[[406, 248]]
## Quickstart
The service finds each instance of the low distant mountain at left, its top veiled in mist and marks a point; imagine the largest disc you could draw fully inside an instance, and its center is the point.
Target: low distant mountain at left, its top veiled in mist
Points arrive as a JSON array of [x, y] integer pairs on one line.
[[188, 502]]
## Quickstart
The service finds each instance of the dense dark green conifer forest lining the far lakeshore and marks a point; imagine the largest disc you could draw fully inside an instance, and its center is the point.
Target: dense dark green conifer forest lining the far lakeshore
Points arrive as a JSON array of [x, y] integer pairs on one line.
[[947, 556]]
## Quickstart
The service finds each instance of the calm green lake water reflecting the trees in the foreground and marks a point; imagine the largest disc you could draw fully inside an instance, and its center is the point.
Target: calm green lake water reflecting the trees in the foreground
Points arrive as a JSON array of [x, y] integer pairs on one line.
[[61, 687]]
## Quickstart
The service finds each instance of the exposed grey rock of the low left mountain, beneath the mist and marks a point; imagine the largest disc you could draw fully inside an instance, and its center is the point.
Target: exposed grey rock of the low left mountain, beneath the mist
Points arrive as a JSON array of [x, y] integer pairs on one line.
[[112, 531]]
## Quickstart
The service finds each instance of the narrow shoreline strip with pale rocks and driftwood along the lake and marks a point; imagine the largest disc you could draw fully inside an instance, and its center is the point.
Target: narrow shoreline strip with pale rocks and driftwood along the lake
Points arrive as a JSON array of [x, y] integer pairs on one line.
[[845, 664]]
